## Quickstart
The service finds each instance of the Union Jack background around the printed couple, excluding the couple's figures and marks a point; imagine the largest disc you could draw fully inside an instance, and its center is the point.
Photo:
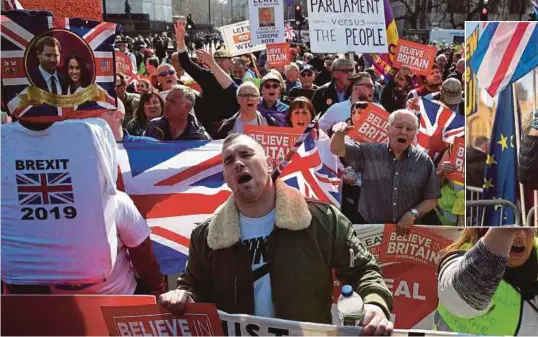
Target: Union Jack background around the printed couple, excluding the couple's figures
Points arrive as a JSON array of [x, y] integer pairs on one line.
[[19, 33]]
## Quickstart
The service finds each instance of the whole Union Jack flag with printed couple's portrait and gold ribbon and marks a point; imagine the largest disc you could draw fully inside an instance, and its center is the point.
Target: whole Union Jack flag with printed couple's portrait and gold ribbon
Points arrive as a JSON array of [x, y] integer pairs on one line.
[[57, 68]]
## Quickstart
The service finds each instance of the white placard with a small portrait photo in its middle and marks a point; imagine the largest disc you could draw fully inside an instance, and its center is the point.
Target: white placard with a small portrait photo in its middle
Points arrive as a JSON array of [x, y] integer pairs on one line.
[[266, 21]]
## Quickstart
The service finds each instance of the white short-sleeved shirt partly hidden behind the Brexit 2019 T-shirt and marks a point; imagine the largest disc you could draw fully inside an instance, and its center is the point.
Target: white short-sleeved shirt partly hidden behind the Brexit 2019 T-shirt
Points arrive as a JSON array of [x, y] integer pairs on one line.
[[132, 231]]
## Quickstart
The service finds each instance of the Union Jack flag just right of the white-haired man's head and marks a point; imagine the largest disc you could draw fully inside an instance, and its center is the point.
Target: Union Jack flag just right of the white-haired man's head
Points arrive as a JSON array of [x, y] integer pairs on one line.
[[439, 125]]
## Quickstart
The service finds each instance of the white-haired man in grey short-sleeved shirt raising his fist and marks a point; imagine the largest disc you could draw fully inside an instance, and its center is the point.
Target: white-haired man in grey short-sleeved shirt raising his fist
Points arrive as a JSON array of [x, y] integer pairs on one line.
[[399, 184]]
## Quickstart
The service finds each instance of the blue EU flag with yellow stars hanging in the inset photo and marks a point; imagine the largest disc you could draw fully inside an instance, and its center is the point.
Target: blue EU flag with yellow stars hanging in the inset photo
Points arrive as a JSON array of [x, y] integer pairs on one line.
[[500, 181]]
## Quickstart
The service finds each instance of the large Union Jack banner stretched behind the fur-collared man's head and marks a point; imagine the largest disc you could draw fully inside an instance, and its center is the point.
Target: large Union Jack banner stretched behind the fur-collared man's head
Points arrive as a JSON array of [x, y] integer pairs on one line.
[[178, 185]]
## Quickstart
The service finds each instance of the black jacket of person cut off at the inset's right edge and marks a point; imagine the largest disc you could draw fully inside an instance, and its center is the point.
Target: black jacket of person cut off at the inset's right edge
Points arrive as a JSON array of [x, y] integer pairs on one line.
[[528, 162]]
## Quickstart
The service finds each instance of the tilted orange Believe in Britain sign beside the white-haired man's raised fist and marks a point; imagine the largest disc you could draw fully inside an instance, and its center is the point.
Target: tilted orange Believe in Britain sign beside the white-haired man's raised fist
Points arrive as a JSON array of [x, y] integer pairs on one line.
[[373, 126]]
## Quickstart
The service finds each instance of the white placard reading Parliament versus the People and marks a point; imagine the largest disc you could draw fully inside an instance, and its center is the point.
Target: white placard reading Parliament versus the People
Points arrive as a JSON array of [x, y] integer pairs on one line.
[[347, 26]]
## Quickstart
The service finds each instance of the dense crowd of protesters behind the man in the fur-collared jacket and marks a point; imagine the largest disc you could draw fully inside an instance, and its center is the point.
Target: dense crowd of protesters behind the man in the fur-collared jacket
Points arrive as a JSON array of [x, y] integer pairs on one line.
[[209, 95]]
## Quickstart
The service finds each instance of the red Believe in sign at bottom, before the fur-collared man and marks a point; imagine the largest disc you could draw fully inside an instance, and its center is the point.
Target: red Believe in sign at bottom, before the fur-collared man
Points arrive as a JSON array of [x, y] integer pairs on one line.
[[200, 319]]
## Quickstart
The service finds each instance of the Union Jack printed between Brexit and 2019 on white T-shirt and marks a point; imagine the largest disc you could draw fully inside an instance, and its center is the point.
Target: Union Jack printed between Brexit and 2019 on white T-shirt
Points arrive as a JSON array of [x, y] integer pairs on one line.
[[45, 188]]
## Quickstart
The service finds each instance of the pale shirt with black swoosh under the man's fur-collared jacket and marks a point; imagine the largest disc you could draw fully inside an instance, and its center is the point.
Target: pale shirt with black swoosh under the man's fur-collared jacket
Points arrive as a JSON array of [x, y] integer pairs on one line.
[[254, 233]]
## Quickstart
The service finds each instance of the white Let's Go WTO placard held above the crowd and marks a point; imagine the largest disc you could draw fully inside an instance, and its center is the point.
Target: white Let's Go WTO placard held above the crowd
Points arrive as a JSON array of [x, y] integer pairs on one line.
[[237, 38]]
